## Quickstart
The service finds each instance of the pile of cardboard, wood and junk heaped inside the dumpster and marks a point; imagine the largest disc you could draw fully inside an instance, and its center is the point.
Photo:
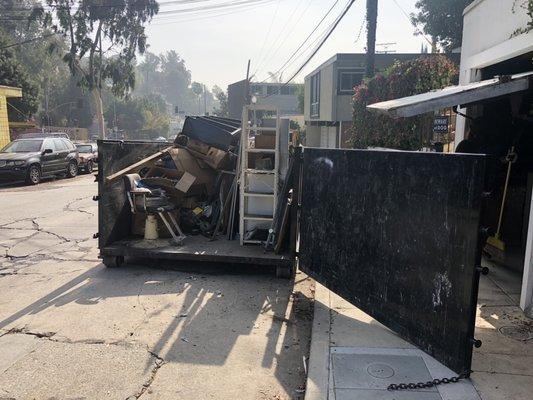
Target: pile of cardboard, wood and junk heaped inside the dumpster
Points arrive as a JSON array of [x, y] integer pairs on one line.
[[191, 187]]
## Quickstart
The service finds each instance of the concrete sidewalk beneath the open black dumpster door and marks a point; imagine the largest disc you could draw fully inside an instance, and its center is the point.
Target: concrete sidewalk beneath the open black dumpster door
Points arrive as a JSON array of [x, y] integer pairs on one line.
[[355, 357]]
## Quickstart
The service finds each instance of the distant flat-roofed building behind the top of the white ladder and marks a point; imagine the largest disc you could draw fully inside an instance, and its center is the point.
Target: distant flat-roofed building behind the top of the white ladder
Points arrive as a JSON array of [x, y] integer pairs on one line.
[[282, 96]]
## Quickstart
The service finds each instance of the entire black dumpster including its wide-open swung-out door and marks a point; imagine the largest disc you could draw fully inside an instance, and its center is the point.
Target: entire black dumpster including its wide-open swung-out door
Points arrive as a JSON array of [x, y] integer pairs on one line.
[[398, 234]]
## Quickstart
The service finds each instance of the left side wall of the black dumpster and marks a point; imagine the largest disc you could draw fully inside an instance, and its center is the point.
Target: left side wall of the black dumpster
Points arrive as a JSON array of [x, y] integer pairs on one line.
[[114, 215]]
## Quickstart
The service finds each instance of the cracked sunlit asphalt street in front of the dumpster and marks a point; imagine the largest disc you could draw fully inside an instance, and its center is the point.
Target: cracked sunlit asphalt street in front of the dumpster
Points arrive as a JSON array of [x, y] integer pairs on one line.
[[70, 328]]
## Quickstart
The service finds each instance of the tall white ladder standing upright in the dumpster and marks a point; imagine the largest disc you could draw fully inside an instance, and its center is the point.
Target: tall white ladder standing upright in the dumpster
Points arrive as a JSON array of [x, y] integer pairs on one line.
[[258, 185]]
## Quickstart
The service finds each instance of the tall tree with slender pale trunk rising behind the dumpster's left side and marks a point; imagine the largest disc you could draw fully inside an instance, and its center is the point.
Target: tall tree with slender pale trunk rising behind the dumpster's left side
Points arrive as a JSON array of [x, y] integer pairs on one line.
[[89, 26]]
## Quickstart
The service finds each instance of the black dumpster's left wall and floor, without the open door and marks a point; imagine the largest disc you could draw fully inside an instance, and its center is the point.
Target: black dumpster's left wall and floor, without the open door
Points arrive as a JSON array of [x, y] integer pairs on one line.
[[115, 222]]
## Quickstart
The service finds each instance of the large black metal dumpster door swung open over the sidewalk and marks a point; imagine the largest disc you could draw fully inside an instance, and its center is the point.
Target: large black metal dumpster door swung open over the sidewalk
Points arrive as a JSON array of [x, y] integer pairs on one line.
[[397, 235]]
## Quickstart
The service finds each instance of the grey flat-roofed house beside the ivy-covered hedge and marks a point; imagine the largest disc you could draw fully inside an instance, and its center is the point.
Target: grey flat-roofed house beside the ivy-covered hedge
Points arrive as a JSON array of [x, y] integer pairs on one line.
[[329, 91]]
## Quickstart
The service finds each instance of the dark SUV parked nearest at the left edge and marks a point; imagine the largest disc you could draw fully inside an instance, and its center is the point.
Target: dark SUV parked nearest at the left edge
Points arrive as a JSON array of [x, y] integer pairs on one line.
[[34, 159]]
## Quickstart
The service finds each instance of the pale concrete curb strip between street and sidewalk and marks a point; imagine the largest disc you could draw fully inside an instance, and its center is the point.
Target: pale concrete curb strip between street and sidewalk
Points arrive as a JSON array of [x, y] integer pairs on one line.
[[318, 368]]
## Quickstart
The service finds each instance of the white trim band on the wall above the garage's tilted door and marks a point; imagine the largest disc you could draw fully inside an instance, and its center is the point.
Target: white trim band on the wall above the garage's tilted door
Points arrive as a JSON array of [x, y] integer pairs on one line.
[[511, 48]]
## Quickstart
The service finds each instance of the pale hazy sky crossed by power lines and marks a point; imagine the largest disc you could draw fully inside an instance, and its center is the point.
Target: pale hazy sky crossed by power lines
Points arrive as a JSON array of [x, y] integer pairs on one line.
[[217, 44]]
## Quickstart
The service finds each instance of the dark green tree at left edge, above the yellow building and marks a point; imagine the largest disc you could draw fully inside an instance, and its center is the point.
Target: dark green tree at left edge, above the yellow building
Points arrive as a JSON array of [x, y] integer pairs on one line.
[[12, 74]]
